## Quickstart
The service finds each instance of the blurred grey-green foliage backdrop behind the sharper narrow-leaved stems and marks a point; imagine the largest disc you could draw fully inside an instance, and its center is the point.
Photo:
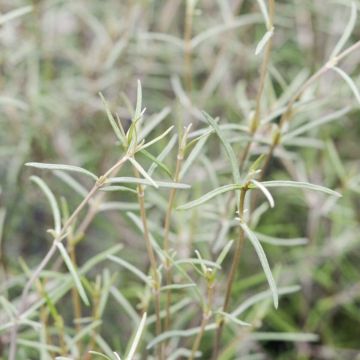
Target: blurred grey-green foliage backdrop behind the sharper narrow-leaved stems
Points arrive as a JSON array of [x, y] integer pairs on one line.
[[56, 56]]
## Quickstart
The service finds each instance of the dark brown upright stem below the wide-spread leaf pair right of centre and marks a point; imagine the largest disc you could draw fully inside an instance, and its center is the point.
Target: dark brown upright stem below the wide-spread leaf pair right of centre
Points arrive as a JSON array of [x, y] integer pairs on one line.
[[233, 270]]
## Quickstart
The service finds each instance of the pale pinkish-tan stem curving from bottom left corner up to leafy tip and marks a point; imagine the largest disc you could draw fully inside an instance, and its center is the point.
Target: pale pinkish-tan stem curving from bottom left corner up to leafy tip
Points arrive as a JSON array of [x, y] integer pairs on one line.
[[51, 252]]
